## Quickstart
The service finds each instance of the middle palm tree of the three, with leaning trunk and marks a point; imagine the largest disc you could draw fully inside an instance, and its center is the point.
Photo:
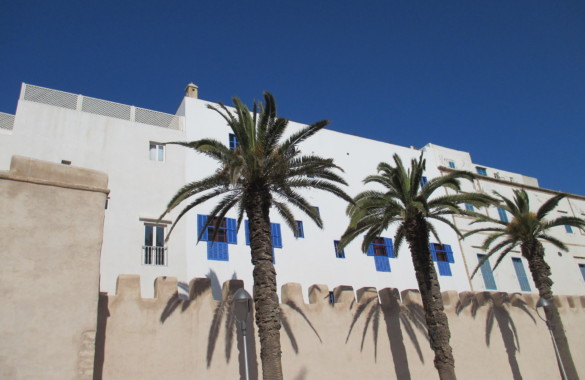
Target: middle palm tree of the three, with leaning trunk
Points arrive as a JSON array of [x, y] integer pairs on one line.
[[408, 204]]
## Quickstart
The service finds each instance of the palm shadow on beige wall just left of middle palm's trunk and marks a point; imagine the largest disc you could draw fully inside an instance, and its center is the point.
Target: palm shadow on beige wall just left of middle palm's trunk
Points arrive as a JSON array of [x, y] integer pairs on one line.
[[395, 315]]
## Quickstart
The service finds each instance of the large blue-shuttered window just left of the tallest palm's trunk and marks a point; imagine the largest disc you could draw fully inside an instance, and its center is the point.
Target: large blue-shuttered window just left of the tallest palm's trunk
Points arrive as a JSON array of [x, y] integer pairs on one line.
[[217, 242]]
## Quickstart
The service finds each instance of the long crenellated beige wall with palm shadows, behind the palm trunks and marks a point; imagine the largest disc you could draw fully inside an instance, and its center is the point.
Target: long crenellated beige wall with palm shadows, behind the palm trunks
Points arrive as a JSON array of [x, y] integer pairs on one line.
[[378, 335]]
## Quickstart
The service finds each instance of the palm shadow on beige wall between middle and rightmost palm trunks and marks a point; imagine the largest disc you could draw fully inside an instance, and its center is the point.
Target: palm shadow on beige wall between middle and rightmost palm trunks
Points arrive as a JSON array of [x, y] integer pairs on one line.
[[498, 312]]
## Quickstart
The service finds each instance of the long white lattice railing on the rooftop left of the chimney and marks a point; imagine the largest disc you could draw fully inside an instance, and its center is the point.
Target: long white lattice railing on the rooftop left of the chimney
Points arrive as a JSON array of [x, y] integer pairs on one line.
[[100, 107]]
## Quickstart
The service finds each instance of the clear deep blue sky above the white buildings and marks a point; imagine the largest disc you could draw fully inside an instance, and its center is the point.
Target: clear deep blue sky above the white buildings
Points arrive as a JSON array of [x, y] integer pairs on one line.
[[503, 80]]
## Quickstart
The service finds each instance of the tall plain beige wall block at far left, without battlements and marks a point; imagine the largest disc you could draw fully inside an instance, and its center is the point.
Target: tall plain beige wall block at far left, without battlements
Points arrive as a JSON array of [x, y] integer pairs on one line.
[[50, 232]]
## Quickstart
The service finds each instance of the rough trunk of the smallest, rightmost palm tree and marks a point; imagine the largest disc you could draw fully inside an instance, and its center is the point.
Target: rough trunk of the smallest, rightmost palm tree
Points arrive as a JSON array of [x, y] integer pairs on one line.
[[534, 252]]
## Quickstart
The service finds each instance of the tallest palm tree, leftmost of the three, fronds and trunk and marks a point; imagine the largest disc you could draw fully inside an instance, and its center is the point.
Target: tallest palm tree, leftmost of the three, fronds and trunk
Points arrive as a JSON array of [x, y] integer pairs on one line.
[[265, 170]]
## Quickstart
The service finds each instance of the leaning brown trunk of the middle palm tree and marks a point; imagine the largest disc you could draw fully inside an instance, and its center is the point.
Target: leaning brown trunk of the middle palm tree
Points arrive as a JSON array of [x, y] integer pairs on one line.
[[417, 235]]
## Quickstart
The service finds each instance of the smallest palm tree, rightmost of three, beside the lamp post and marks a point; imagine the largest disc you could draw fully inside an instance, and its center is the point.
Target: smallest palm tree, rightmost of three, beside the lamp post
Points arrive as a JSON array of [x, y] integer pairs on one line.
[[528, 229]]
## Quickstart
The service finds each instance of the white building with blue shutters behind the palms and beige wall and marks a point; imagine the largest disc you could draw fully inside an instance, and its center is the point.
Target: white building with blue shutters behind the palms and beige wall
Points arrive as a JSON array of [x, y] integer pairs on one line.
[[129, 144]]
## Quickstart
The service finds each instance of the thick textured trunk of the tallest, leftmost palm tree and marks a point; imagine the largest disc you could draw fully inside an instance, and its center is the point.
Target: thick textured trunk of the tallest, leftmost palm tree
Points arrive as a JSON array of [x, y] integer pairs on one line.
[[265, 297]]
